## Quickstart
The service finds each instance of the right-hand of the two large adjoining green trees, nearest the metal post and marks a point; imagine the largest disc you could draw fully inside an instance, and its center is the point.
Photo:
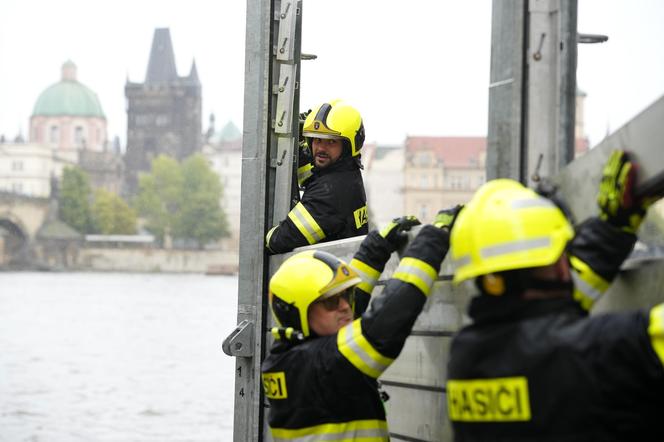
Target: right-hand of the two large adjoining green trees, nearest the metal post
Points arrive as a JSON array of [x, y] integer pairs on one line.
[[201, 218]]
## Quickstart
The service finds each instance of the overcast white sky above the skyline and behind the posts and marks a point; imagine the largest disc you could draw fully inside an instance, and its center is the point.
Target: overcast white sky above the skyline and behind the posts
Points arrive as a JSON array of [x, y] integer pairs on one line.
[[412, 68]]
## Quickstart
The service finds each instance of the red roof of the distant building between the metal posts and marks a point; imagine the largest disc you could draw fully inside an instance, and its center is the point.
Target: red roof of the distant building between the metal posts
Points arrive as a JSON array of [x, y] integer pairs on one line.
[[453, 151]]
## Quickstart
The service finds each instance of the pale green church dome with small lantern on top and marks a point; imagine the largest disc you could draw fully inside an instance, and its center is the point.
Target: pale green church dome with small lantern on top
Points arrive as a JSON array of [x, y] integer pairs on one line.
[[68, 97]]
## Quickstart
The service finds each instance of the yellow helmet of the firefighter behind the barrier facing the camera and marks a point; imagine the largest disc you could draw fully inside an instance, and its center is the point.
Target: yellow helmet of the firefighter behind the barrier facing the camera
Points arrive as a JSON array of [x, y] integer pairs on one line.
[[336, 120]]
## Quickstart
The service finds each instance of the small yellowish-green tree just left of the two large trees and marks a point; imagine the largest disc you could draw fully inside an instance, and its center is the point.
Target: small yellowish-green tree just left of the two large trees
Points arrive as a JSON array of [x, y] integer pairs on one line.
[[112, 215]]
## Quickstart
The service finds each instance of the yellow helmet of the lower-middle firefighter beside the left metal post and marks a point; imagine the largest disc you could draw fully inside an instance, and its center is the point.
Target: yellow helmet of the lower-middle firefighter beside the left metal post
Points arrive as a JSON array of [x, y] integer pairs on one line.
[[304, 278]]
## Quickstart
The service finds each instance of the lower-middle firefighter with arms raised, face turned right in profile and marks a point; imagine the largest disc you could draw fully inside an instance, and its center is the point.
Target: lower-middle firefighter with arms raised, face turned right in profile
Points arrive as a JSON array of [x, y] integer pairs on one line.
[[321, 374]]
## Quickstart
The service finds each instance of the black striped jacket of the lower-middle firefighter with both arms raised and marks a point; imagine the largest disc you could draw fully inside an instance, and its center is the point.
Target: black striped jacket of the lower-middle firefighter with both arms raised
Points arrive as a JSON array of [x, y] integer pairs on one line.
[[327, 384]]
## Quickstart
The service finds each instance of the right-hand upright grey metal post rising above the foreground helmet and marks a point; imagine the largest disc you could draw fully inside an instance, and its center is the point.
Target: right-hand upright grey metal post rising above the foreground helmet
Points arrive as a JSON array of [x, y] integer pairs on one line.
[[532, 89]]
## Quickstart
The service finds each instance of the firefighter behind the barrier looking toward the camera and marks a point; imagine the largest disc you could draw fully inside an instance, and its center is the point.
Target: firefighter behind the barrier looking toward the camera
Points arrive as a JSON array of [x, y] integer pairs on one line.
[[333, 205]]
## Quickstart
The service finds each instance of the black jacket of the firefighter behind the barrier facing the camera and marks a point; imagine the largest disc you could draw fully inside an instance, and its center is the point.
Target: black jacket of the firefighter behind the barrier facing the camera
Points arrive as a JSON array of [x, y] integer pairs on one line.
[[333, 206]]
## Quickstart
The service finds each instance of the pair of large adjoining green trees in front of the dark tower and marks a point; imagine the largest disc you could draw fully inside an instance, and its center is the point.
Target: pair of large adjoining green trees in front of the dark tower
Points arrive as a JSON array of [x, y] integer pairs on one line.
[[182, 200]]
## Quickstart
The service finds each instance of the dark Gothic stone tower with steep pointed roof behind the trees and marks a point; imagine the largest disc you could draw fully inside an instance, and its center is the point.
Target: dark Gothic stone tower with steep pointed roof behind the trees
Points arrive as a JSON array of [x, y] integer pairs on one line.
[[163, 113]]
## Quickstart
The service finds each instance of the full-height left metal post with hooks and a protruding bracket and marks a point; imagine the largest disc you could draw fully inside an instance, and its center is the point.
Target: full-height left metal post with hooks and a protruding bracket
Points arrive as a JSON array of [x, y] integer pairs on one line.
[[271, 95]]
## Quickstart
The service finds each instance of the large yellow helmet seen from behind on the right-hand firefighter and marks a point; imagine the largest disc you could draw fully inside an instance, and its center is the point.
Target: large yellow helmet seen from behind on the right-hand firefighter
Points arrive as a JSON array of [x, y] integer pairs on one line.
[[507, 226]]
